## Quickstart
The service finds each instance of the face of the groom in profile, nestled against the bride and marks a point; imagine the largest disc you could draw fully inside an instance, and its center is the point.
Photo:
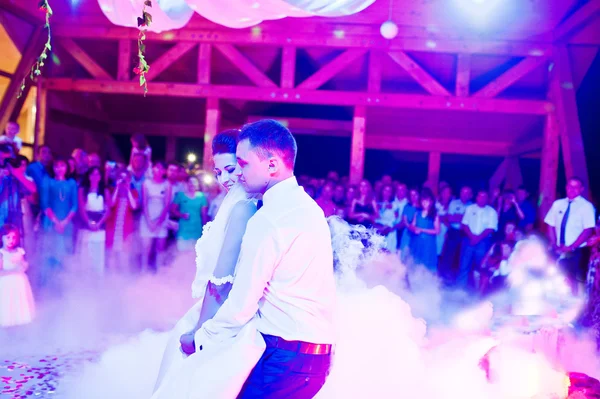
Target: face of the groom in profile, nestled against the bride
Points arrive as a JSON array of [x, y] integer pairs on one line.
[[253, 172]]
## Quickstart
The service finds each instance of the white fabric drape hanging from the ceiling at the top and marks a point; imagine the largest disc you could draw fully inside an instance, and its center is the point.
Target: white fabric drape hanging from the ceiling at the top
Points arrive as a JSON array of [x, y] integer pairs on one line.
[[174, 14]]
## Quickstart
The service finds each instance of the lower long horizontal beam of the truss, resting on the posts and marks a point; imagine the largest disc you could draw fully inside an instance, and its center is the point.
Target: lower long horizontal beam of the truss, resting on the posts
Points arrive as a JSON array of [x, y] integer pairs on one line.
[[298, 96]]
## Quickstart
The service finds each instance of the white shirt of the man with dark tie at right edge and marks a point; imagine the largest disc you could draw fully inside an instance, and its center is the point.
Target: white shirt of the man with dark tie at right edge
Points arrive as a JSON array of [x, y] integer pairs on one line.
[[582, 216]]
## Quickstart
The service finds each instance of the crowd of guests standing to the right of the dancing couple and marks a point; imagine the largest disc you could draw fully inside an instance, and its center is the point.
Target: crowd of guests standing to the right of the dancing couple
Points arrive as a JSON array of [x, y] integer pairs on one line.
[[467, 238]]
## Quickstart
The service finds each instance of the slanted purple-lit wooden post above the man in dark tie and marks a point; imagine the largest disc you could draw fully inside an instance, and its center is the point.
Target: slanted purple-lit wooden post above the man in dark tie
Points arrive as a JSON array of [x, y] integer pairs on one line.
[[563, 95]]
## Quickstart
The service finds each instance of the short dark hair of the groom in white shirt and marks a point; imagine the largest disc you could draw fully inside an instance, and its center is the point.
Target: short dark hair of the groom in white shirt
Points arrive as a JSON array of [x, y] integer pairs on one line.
[[268, 137]]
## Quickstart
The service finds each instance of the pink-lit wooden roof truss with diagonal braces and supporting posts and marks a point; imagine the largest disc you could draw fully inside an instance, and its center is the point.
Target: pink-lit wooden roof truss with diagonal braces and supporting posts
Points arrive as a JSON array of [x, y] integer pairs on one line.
[[562, 125]]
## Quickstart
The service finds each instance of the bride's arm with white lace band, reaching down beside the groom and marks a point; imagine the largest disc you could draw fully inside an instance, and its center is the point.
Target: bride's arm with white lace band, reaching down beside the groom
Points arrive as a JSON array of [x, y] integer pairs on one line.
[[219, 285]]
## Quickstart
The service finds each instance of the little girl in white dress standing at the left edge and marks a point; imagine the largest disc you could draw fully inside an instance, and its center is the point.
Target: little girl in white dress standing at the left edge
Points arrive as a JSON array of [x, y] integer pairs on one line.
[[16, 300]]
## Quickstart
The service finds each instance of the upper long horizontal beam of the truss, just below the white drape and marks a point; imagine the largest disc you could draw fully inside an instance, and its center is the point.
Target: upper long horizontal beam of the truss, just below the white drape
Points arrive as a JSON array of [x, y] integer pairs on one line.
[[246, 37]]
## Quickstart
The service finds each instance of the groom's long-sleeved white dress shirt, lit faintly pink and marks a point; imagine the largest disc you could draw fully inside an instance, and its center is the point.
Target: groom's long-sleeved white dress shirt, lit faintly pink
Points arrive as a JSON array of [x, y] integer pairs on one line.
[[284, 276]]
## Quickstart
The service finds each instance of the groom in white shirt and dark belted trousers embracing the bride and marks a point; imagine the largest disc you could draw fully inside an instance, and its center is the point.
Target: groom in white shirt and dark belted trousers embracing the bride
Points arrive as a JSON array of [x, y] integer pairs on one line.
[[284, 275]]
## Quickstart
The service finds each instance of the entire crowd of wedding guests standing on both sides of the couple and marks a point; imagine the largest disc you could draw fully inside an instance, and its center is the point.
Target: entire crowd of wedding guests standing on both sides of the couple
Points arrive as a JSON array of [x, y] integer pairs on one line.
[[88, 216]]
